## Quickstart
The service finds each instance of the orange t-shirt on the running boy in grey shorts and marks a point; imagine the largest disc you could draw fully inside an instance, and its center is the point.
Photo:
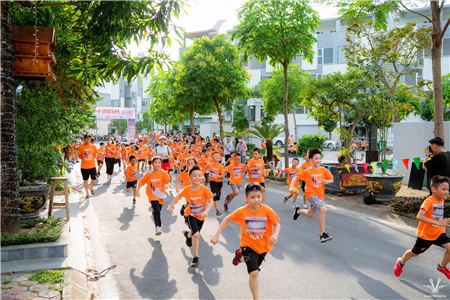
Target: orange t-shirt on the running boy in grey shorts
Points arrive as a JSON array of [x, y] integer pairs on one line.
[[313, 179]]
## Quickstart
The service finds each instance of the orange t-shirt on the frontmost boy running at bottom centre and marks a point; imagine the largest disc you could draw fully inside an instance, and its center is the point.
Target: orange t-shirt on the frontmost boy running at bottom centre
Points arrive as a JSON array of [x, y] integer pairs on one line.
[[256, 227]]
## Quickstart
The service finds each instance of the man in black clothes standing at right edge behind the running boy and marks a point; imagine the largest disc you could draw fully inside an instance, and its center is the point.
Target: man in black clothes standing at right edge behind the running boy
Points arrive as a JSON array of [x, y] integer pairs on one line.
[[437, 161]]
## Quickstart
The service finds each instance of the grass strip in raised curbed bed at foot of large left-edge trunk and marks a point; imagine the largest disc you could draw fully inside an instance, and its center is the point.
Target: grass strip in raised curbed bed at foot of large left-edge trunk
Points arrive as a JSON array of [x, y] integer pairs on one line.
[[51, 231]]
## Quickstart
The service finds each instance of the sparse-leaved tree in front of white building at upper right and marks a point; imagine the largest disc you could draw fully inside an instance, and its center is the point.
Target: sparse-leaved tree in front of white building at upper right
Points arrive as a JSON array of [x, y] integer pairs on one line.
[[388, 55]]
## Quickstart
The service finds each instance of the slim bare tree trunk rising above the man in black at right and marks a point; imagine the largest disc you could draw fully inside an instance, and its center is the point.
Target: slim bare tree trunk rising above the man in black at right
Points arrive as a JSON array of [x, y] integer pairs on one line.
[[436, 44]]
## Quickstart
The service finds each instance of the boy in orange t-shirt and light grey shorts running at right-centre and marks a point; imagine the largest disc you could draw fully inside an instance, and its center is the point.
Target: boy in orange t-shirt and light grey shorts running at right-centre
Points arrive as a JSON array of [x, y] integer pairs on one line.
[[315, 177]]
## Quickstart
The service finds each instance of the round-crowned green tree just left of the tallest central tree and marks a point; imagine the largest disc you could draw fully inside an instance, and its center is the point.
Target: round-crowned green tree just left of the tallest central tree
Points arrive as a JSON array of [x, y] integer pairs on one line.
[[214, 73]]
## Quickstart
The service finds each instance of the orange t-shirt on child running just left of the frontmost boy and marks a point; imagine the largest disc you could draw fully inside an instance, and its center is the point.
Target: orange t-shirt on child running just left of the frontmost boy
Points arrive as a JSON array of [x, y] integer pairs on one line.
[[197, 201]]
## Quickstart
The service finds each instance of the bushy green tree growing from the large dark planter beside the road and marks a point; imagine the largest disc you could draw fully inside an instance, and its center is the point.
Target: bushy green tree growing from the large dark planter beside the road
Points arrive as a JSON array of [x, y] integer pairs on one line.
[[329, 95]]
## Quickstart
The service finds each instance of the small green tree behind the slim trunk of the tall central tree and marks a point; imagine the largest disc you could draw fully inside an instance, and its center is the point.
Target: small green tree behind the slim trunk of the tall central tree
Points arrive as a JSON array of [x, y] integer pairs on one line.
[[273, 91]]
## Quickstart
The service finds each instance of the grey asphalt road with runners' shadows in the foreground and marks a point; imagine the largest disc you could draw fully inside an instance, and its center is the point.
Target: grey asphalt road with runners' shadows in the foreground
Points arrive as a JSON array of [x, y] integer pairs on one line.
[[356, 264]]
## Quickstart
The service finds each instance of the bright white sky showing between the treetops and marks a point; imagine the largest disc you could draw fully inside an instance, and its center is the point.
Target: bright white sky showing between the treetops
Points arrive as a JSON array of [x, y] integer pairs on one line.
[[203, 14]]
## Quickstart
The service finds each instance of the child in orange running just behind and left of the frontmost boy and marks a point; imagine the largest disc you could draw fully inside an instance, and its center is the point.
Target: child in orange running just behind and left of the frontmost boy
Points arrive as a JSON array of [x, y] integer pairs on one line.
[[200, 202]]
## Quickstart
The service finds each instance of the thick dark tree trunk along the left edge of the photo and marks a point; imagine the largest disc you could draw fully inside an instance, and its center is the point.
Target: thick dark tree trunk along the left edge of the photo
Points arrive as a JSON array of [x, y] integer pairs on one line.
[[9, 201]]
